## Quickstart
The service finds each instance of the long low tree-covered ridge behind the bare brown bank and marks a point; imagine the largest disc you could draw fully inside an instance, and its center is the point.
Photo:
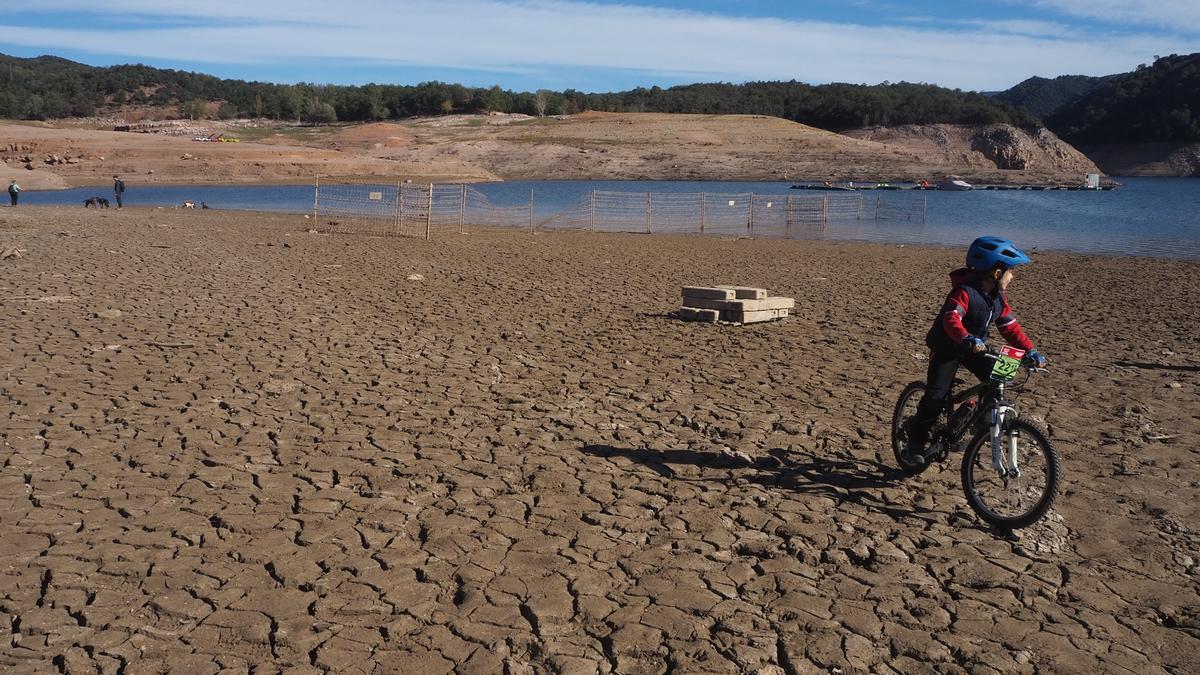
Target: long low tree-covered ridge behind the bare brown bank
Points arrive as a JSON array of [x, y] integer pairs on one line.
[[49, 87]]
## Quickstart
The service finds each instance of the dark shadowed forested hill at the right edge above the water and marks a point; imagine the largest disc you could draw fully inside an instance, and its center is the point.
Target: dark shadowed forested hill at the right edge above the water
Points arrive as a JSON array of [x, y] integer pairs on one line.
[[1155, 104]]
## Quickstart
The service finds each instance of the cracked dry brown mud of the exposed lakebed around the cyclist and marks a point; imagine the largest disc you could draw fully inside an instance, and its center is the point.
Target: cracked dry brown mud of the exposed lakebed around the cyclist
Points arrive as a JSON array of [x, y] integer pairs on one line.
[[283, 455]]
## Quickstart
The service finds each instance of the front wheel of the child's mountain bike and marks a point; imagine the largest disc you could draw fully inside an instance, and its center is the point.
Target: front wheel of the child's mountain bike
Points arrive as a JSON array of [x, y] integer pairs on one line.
[[1003, 494]]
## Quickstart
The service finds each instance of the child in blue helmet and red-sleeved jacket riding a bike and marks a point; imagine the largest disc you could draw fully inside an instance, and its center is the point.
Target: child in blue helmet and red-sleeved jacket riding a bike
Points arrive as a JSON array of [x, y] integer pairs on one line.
[[961, 331]]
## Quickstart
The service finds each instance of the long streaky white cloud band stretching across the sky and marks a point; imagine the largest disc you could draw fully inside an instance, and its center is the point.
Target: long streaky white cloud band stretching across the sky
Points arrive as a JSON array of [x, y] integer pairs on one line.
[[553, 37]]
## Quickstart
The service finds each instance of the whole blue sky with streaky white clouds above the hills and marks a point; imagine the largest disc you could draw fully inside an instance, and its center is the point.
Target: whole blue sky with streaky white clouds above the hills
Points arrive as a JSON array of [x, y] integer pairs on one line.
[[607, 46]]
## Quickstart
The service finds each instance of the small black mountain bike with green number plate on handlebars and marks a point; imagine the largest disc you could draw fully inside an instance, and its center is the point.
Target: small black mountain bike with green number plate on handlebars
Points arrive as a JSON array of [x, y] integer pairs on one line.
[[1011, 470]]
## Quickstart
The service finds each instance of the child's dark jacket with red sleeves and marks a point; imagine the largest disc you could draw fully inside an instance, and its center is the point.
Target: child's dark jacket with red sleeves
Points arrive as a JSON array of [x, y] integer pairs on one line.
[[970, 312]]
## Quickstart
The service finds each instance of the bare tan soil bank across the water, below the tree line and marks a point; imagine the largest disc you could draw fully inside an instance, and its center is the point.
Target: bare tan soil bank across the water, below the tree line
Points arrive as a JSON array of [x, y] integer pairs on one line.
[[591, 146]]
